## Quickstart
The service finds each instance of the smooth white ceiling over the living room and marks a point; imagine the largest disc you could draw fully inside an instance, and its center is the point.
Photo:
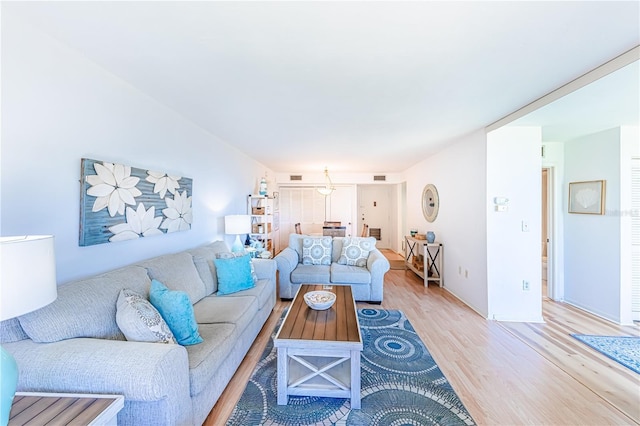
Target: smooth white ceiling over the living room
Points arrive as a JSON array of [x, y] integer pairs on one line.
[[355, 86]]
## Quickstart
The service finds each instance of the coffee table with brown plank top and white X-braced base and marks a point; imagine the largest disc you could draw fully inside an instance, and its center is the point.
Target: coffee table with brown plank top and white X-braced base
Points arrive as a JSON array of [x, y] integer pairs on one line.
[[319, 351]]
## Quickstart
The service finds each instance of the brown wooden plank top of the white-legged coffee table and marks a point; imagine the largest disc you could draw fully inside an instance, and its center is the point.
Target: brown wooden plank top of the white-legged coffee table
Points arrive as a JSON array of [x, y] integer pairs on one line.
[[336, 324]]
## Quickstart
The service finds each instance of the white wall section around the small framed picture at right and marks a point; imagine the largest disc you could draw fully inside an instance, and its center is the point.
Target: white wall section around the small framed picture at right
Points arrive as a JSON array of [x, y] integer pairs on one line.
[[592, 242]]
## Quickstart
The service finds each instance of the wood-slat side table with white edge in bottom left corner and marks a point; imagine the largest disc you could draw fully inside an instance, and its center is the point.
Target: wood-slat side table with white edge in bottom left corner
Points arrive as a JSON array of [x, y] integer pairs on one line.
[[65, 408]]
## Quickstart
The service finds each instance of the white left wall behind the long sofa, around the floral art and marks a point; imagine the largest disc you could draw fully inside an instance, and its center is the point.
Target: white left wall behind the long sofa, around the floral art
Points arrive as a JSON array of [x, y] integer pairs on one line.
[[58, 107]]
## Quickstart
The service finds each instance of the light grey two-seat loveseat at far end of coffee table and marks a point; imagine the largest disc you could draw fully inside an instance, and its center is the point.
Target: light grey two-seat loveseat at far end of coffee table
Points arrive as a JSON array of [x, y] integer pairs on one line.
[[366, 278]]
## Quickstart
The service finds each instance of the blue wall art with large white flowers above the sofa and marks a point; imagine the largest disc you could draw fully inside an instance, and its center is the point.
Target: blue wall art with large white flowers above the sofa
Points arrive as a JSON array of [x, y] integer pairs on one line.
[[119, 202]]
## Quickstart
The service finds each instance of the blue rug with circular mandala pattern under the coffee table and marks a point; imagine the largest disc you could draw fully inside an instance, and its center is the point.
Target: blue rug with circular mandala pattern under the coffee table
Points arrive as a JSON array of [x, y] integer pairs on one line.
[[401, 385]]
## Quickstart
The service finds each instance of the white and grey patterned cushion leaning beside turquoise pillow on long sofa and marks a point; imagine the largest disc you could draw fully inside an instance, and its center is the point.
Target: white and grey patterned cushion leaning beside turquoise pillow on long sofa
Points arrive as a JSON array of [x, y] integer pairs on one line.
[[139, 321]]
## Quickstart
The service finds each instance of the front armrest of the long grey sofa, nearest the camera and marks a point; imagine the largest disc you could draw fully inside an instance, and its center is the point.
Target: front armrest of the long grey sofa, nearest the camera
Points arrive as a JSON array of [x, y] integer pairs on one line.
[[139, 371]]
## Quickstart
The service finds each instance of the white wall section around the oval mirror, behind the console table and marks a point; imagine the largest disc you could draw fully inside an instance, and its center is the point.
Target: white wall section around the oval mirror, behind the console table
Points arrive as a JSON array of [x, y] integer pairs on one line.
[[459, 174]]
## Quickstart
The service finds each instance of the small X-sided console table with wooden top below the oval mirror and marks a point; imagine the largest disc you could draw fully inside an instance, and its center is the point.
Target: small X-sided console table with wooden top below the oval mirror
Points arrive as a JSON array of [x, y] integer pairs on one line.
[[425, 259]]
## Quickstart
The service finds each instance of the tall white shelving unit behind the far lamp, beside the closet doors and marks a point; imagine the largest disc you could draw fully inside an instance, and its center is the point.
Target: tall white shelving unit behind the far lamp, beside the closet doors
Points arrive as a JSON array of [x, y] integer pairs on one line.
[[264, 211]]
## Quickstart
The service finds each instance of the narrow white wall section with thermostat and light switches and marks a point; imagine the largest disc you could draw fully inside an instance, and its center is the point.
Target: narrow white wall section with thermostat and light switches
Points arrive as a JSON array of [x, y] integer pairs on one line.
[[513, 255]]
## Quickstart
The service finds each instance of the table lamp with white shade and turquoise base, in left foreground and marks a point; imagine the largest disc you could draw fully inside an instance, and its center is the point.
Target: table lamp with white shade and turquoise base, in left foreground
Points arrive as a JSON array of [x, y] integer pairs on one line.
[[27, 283]]
